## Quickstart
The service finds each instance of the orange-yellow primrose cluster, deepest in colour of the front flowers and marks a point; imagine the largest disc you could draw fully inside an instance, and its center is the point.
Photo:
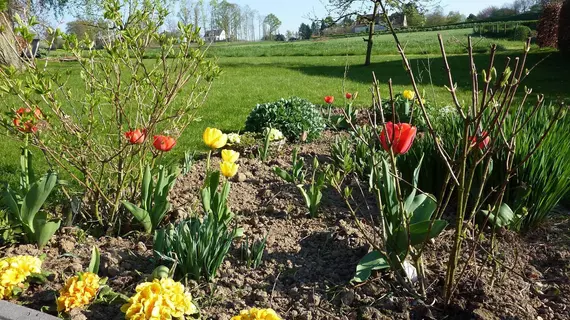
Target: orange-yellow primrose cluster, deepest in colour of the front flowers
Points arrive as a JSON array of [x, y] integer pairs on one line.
[[78, 291]]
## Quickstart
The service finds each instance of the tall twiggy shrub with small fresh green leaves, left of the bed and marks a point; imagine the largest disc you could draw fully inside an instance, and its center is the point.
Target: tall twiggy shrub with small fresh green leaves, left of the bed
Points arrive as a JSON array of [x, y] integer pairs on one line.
[[120, 91]]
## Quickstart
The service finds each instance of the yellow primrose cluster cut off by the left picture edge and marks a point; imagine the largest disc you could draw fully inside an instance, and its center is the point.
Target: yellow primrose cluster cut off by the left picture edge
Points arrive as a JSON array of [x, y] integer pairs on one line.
[[14, 271]]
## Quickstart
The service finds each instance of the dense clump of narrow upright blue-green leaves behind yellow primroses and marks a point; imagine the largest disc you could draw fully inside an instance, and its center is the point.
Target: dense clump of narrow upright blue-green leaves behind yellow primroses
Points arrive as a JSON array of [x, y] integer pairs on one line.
[[197, 247]]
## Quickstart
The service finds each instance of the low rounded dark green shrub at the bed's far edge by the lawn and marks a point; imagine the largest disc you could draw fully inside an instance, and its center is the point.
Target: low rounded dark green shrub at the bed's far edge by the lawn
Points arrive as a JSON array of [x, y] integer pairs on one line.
[[292, 116]]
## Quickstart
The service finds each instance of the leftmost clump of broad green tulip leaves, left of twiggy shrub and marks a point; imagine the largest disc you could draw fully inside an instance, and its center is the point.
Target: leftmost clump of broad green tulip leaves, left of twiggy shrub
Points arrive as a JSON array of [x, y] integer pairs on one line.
[[27, 210]]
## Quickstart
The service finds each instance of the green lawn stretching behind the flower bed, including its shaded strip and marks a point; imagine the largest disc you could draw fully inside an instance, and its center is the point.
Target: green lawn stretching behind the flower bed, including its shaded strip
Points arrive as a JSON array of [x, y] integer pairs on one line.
[[263, 72]]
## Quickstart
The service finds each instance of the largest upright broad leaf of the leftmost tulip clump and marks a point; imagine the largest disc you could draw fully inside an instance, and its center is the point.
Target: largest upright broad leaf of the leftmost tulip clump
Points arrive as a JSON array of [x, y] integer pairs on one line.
[[35, 198]]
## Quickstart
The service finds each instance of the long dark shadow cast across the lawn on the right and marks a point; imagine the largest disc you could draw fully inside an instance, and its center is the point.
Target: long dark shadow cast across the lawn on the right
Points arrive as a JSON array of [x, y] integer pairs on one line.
[[547, 76]]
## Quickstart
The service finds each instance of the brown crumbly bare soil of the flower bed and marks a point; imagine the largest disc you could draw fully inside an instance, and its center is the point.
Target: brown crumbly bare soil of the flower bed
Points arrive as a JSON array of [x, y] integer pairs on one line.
[[308, 263]]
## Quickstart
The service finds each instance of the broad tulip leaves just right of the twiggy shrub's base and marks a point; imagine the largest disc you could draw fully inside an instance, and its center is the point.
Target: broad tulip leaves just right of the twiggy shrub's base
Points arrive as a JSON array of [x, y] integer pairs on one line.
[[154, 202]]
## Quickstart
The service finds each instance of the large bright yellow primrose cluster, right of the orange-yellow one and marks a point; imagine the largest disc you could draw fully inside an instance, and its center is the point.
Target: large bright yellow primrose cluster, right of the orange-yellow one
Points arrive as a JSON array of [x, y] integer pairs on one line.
[[160, 299]]
